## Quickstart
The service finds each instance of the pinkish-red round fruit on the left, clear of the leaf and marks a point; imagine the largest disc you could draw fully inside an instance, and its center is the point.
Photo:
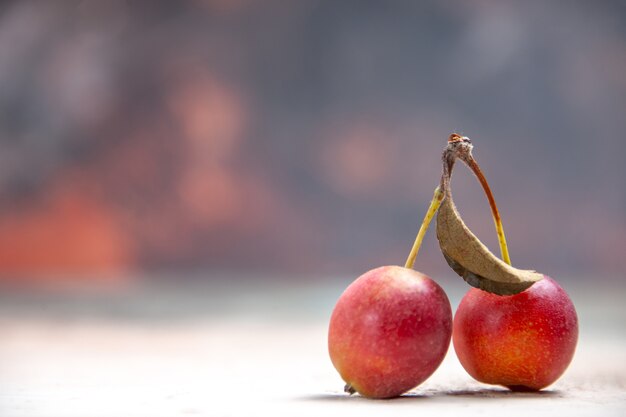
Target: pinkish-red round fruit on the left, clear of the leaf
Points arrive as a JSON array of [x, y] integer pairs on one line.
[[389, 331]]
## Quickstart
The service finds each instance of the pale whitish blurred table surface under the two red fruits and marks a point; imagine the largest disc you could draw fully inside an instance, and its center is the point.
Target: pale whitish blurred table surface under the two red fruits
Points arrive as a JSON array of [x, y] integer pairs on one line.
[[237, 351]]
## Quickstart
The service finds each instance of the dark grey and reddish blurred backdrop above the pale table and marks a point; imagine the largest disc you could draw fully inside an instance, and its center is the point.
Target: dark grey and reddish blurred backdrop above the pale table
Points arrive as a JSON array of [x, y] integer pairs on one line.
[[299, 138]]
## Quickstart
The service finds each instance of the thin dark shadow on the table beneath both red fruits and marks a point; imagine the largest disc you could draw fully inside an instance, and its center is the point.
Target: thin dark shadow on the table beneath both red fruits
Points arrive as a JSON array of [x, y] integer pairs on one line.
[[490, 393]]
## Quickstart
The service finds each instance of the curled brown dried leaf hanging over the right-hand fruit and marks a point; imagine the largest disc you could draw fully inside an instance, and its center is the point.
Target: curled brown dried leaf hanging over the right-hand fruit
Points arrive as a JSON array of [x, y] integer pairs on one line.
[[472, 260]]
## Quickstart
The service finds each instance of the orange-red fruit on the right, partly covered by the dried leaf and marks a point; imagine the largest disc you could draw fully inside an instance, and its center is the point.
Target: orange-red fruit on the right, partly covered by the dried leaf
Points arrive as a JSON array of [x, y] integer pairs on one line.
[[523, 341]]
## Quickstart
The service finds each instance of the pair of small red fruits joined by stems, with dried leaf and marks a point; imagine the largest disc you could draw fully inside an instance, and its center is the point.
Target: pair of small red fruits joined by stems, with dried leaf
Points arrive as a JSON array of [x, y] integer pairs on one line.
[[392, 327]]
